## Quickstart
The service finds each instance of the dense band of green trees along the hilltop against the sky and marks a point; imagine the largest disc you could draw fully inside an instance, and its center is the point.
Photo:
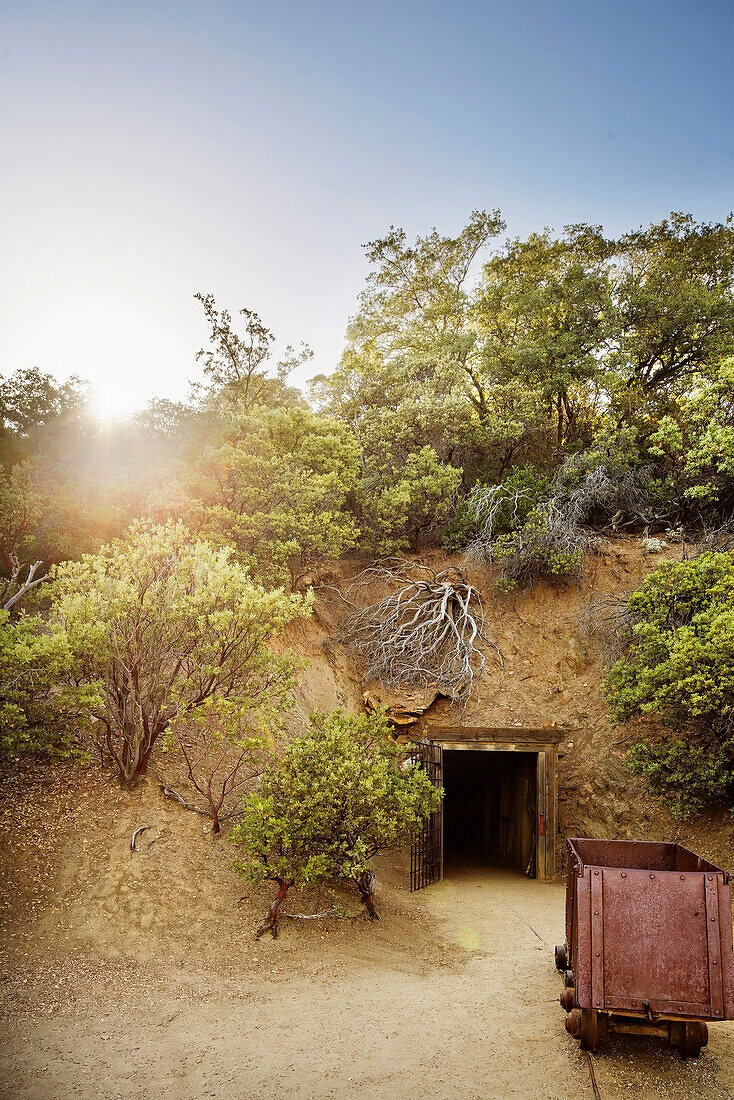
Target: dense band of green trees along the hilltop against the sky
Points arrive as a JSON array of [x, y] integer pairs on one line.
[[558, 360]]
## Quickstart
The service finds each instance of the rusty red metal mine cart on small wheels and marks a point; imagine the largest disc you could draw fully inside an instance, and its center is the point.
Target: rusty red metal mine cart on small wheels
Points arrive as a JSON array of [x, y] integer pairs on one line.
[[649, 942]]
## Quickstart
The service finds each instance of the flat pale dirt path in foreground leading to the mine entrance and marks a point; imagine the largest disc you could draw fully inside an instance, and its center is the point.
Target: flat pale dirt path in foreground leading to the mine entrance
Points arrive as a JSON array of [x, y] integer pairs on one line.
[[404, 1028]]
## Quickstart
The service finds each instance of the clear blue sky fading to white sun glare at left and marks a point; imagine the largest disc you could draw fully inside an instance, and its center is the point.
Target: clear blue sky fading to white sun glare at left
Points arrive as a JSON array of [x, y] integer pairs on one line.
[[152, 150]]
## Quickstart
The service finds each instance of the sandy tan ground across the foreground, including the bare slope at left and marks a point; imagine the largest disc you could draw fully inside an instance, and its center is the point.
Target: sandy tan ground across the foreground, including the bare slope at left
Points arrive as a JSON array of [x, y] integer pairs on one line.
[[138, 976]]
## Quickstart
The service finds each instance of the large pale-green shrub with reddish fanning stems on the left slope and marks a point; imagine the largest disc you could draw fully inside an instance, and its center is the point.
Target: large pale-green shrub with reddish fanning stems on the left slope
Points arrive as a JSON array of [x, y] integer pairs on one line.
[[165, 624]]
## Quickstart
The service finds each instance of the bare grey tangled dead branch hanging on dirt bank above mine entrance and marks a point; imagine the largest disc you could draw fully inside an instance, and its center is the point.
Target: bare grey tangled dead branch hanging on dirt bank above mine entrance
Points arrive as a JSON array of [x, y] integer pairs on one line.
[[428, 632]]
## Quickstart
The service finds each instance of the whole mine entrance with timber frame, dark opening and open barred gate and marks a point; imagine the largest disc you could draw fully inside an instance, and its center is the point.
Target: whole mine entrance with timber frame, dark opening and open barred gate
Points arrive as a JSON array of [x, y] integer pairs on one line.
[[501, 798]]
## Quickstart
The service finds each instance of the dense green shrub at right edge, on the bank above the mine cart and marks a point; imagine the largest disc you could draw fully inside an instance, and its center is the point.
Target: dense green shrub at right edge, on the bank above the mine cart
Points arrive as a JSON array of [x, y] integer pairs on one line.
[[680, 666]]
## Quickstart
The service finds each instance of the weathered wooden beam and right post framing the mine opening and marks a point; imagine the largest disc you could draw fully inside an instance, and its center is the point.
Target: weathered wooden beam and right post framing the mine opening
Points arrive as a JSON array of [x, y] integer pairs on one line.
[[544, 743]]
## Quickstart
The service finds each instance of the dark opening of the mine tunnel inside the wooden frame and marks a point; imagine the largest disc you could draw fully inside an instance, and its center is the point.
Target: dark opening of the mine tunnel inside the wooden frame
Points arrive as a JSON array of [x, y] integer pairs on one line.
[[490, 809]]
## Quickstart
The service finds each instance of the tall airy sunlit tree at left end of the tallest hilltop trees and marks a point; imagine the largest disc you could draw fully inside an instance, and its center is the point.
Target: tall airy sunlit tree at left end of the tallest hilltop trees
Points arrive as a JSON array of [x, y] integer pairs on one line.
[[413, 336]]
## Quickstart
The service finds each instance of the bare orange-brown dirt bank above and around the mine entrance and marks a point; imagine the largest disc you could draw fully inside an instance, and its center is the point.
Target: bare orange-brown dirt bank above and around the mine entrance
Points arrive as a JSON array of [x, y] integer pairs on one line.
[[550, 676]]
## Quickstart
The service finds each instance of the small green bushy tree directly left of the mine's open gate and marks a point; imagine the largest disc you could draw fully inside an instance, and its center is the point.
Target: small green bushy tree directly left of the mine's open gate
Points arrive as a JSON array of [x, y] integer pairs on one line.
[[337, 797]]
